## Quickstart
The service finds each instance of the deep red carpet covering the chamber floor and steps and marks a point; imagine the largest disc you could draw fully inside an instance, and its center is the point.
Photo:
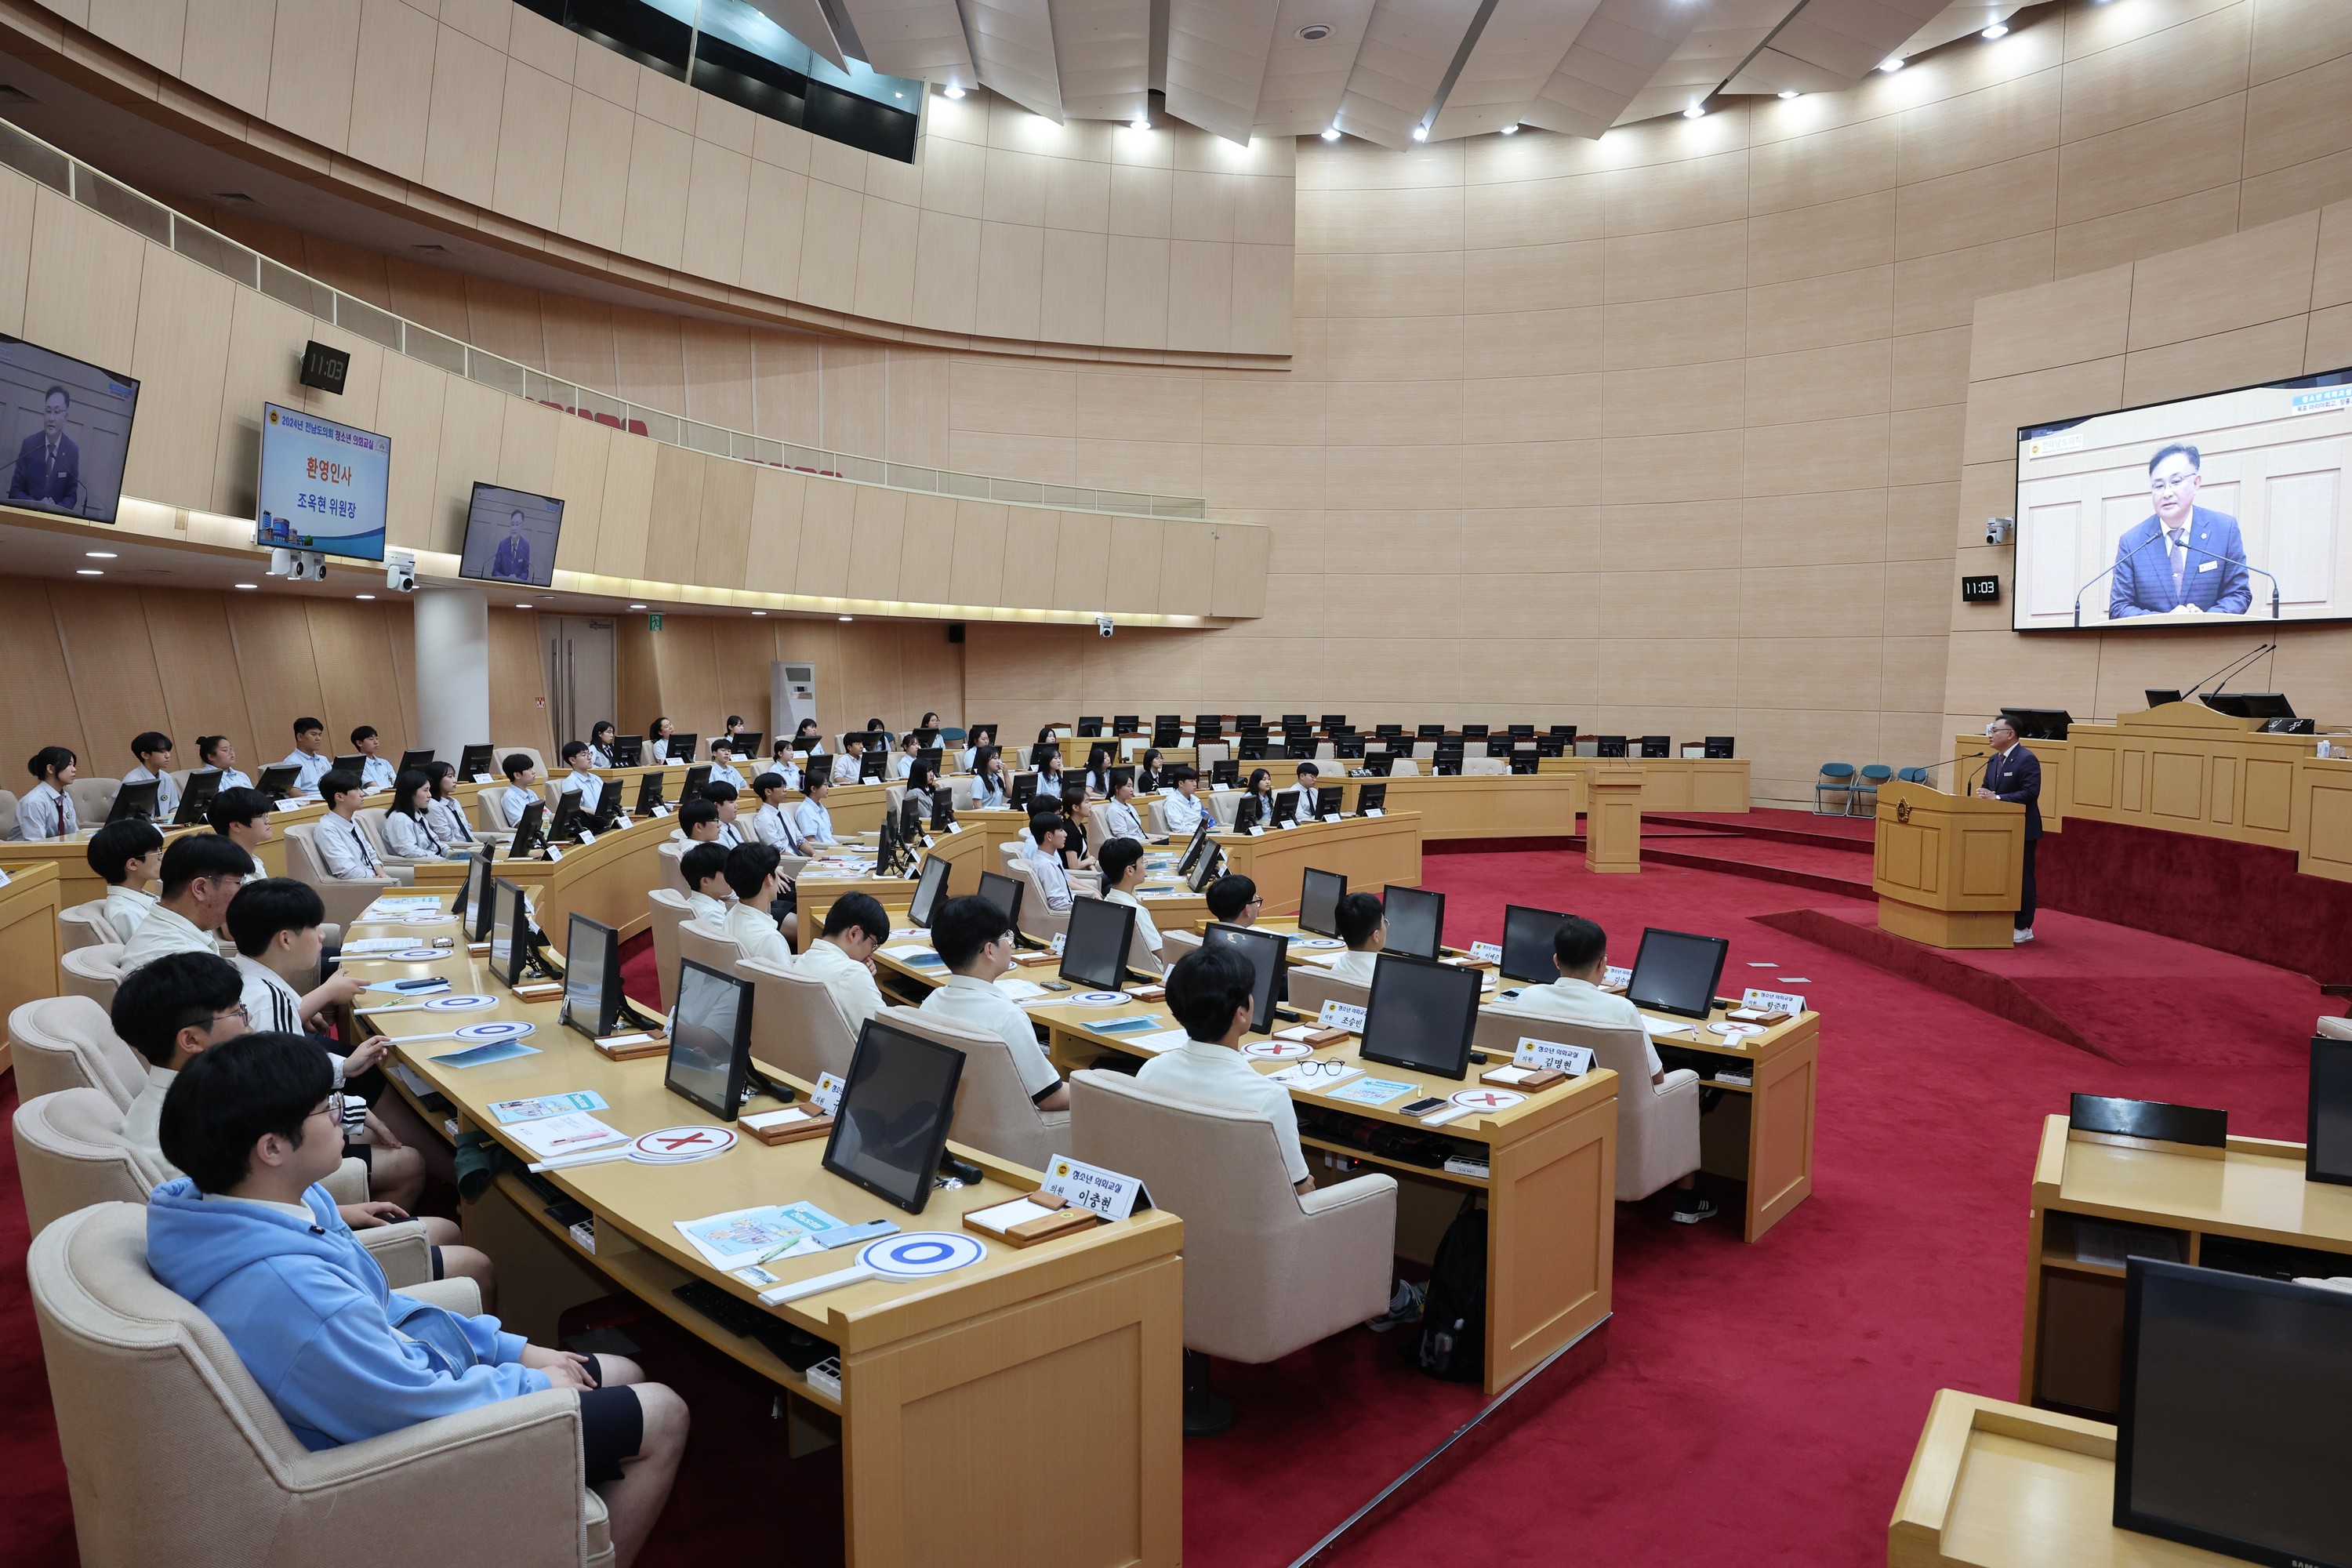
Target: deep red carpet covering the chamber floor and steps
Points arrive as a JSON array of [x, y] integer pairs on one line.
[[1758, 1405]]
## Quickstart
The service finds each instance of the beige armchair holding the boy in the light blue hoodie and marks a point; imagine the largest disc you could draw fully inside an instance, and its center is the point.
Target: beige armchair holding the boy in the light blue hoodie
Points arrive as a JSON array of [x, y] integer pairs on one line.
[[156, 1407]]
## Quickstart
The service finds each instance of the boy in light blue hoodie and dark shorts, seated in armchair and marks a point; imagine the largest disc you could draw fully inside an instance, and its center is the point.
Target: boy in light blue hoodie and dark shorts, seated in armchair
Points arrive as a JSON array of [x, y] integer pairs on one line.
[[258, 1247]]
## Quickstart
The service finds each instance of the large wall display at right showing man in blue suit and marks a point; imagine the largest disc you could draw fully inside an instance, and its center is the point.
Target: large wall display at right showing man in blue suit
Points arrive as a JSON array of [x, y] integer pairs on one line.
[[2226, 507]]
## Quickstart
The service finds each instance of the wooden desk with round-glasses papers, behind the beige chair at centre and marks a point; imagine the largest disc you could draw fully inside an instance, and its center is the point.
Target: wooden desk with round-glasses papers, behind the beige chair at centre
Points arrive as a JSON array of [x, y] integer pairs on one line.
[[1551, 1188]]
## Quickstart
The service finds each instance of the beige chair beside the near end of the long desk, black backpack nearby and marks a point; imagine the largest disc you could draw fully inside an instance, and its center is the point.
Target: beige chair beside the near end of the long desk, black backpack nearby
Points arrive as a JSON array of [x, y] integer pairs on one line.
[[1267, 1271]]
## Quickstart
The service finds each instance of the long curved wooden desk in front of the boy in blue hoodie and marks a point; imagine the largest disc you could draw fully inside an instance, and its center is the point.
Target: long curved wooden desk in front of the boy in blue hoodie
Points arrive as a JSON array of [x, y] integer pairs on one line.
[[1067, 1346]]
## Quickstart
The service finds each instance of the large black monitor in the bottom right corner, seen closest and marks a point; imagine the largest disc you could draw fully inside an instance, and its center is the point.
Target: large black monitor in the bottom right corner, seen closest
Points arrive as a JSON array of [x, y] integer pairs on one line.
[[2231, 1421]]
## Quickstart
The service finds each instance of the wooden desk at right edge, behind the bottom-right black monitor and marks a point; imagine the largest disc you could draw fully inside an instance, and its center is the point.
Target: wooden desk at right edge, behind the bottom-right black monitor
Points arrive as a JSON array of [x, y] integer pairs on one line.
[[2245, 1207]]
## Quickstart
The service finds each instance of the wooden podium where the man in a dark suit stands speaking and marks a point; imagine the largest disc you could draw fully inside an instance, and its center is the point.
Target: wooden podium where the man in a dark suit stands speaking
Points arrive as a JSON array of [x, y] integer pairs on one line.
[[1949, 869]]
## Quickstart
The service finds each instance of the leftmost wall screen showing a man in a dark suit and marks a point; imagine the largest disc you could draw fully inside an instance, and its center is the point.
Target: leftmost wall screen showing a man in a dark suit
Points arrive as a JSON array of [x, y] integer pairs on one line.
[[69, 427]]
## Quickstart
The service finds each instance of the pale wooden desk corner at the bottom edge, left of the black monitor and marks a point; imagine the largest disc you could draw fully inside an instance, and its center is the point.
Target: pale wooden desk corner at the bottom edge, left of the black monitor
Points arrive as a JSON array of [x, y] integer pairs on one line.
[[2007, 1487]]
